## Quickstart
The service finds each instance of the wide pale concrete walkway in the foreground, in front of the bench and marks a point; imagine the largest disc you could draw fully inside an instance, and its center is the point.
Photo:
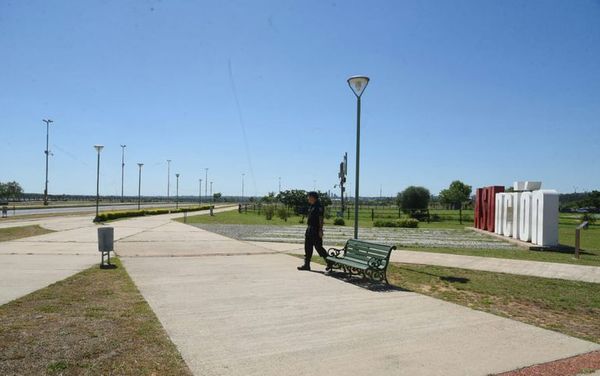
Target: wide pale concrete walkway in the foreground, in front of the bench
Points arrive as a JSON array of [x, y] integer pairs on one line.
[[233, 308]]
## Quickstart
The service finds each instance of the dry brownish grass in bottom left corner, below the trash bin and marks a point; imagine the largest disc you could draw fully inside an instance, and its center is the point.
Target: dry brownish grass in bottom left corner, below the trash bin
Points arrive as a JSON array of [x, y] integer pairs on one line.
[[95, 322]]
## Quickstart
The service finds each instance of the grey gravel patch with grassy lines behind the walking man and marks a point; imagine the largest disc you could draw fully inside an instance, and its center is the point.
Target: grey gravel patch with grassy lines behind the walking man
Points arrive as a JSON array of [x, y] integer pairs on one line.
[[337, 235]]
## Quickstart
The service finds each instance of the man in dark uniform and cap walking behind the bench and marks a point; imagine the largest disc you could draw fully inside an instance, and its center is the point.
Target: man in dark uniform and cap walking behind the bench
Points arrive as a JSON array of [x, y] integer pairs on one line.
[[314, 232]]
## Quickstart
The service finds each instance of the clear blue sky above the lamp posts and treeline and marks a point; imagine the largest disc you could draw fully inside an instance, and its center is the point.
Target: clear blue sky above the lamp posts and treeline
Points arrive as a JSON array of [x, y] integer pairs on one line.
[[483, 91]]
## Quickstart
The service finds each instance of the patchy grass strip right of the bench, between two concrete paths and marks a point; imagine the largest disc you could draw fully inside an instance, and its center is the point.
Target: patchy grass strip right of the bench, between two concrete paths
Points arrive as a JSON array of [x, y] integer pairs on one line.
[[569, 307]]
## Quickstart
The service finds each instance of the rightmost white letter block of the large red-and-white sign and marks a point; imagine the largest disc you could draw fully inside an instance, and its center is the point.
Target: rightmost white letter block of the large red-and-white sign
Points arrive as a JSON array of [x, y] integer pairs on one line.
[[544, 214]]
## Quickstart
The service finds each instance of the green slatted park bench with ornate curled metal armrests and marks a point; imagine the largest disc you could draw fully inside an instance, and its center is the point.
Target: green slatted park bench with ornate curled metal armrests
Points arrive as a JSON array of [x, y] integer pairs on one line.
[[362, 258]]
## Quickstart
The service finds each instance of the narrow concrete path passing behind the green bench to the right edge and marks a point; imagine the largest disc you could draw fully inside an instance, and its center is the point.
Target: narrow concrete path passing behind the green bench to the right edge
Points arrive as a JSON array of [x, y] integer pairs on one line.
[[522, 267]]
